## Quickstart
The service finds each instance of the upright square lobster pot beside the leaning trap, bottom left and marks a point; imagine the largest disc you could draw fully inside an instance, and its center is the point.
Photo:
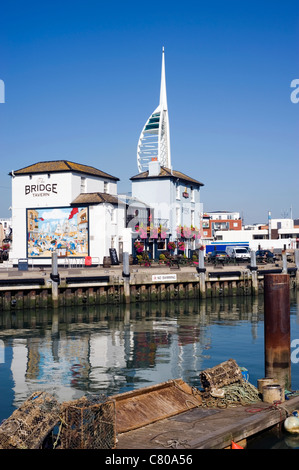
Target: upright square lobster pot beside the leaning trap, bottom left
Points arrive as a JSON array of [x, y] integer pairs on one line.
[[88, 423]]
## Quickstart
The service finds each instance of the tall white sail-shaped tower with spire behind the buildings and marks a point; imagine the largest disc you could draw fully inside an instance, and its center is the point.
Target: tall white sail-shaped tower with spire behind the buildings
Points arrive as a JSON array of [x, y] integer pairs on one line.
[[154, 139]]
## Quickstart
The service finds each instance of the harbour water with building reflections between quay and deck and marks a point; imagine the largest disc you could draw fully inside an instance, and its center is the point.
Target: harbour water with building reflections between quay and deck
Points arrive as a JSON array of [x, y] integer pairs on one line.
[[113, 349]]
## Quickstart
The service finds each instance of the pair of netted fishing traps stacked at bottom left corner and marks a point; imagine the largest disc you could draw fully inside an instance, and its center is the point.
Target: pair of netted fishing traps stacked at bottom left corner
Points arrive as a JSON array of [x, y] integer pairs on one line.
[[41, 422]]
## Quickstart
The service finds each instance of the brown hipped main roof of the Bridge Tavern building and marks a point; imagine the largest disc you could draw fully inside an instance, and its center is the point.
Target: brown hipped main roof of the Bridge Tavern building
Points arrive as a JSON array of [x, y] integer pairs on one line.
[[58, 166]]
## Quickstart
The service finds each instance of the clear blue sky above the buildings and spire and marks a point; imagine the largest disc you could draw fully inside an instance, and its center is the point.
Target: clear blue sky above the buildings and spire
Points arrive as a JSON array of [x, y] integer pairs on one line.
[[81, 78]]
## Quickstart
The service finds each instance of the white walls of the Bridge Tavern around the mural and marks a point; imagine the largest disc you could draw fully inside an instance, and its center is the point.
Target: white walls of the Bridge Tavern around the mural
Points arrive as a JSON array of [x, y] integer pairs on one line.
[[59, 190]]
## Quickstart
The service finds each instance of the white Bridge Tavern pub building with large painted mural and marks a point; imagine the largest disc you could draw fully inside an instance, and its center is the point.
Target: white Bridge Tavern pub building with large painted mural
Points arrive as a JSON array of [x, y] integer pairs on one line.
[[68, 207]]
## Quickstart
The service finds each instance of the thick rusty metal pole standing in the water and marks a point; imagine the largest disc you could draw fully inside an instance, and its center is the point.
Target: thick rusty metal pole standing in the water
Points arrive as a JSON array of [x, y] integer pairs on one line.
[[277, 328]]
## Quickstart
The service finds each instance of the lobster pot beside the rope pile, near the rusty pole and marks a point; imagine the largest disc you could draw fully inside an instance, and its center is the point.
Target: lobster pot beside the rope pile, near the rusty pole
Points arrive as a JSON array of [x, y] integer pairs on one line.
[[226, 373]]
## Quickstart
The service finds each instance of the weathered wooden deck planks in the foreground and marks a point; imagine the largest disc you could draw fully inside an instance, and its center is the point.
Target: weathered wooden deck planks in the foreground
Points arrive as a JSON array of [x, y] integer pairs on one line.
[[203, 428]]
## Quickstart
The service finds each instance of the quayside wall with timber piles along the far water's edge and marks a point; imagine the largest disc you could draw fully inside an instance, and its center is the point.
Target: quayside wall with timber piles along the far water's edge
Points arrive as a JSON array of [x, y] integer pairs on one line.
[[32, 290]]
